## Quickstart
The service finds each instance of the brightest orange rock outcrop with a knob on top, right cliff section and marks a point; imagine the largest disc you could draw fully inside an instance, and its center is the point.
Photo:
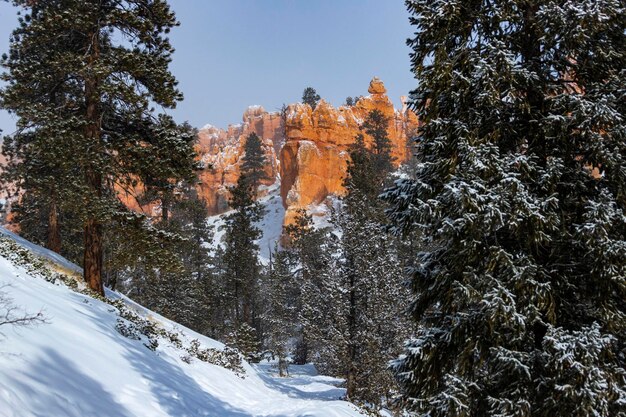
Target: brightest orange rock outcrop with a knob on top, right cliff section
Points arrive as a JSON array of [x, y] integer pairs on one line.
[[313, 160]]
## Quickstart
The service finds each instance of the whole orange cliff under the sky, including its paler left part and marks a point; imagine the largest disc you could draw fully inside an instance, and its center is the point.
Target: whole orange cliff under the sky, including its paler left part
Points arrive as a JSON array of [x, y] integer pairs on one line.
[[308, 148]]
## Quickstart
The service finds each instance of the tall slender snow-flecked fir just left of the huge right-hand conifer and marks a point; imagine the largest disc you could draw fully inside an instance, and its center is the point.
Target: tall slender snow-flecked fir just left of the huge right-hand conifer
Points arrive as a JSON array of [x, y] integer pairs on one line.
[[367, 282]]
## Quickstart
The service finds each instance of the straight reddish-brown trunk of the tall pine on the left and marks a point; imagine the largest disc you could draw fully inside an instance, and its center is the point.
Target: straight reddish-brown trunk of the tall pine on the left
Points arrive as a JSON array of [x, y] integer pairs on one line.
[[92, 259]]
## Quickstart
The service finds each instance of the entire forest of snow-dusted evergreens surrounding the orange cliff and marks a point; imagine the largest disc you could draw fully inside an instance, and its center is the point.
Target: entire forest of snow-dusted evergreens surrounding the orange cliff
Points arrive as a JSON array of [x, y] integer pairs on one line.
[[485, 276]]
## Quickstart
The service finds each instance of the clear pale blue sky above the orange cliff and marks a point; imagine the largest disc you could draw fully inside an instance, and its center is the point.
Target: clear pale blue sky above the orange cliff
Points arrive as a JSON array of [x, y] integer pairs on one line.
[[234, 53]]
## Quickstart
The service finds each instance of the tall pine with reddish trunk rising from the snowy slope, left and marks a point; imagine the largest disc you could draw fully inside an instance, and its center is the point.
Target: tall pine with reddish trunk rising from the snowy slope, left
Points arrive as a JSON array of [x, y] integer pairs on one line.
[[109, 62]]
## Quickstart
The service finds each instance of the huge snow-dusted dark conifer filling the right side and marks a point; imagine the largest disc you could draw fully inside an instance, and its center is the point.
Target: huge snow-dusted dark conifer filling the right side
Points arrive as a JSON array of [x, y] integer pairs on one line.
[[519, 196]]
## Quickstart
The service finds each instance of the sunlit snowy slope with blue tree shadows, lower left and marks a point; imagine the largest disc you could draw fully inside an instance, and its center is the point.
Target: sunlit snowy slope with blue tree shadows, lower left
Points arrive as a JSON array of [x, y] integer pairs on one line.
[[80, 365]]
